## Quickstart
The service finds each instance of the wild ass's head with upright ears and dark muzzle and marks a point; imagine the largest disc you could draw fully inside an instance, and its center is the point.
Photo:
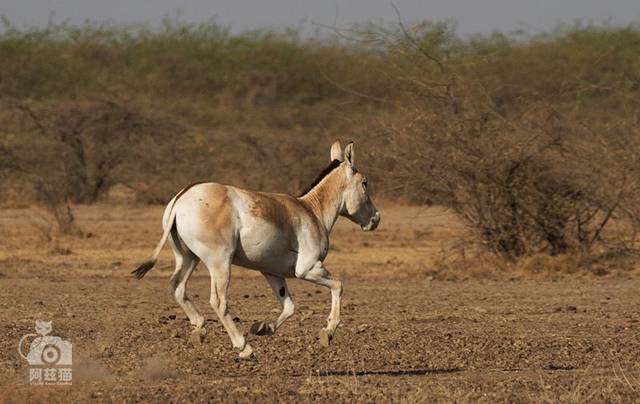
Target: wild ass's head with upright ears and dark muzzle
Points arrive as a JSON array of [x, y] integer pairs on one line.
[[358, 206]]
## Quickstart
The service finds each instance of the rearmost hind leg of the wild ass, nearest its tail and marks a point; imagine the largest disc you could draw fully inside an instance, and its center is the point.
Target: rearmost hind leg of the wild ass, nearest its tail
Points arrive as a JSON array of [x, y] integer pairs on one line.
[[186, 262]]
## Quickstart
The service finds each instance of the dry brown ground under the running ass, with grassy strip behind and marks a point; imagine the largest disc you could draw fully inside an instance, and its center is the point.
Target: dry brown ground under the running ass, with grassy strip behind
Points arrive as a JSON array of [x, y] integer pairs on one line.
[[407, 334]]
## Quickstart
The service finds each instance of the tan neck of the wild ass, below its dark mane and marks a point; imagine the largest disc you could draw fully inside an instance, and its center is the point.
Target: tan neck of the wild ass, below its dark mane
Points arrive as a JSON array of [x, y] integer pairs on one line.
[[326, 199]]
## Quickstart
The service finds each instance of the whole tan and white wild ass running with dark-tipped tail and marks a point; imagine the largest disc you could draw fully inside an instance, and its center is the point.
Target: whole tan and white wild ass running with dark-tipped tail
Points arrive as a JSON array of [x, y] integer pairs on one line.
[[276, 234]]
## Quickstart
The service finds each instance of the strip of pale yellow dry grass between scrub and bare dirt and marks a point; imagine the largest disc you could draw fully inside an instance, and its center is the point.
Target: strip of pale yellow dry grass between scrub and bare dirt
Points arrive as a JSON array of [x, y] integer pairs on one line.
[[412, 241]]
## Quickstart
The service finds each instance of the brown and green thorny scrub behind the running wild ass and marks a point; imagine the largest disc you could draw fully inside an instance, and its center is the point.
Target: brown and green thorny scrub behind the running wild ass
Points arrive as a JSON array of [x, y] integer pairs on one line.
[[533, 142]]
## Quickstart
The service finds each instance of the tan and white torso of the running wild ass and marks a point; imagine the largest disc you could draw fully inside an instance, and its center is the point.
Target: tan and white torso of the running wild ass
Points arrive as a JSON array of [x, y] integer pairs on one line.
[[264, 230]]
